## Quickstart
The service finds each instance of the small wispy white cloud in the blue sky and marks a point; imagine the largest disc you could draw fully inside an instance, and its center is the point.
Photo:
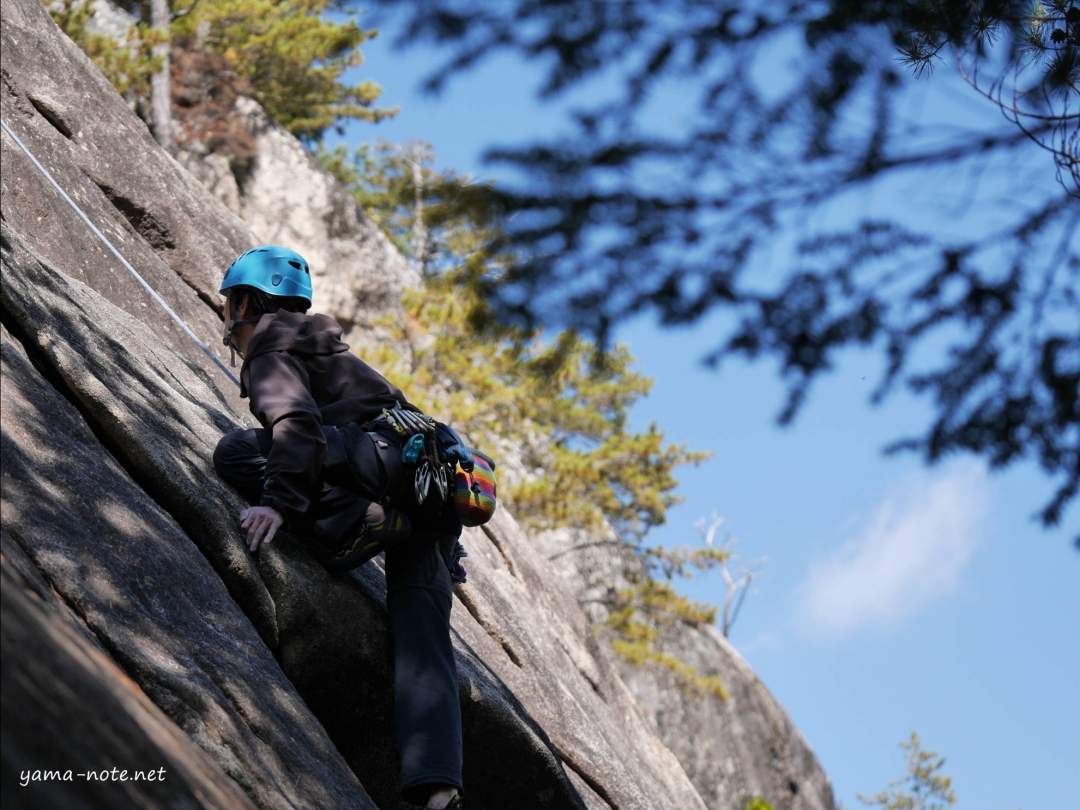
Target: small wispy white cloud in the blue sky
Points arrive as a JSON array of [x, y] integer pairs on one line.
[[913, 550]]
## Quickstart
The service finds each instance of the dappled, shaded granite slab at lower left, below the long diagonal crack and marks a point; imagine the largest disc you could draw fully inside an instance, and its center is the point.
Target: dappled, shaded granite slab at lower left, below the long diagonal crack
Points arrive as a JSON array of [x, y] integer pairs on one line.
[[160, 633]]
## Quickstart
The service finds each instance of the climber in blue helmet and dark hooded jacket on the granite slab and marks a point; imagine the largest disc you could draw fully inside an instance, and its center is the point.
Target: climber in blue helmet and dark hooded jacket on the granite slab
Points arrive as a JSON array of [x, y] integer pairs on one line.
[[327, 465]]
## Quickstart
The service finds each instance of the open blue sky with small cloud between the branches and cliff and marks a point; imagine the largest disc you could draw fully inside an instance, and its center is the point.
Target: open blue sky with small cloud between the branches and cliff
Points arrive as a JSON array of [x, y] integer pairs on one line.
[[890, 597]]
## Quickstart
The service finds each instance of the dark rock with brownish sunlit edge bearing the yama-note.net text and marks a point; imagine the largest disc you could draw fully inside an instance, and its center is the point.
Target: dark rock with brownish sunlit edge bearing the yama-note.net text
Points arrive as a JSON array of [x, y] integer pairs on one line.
[[62, 692]]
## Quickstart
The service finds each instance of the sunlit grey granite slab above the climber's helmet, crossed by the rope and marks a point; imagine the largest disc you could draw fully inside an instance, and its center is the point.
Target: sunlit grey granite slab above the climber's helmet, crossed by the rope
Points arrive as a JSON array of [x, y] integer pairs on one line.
[[105, 158]]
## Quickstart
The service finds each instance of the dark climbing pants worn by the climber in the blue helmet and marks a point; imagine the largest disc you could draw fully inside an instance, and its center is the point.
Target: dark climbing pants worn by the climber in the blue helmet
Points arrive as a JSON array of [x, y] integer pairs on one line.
[[427, 711]]
